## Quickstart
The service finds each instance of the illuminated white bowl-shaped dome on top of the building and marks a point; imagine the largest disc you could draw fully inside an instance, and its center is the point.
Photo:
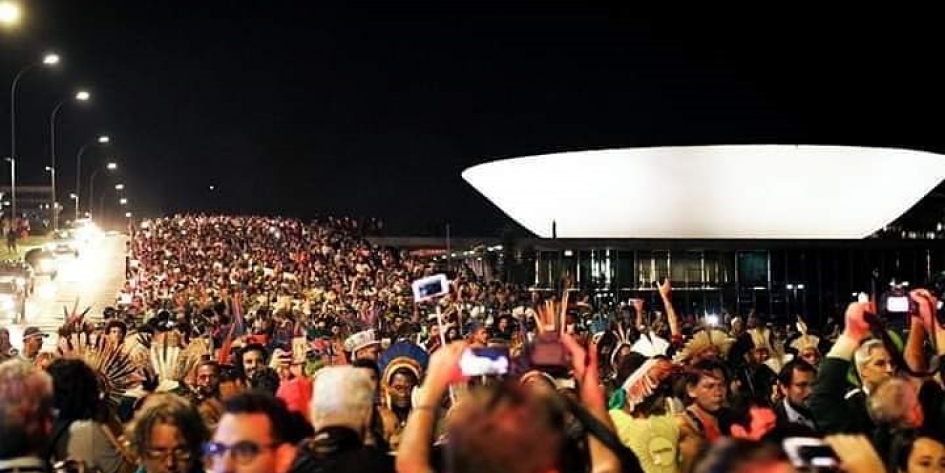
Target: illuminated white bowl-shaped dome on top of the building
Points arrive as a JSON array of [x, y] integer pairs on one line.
[[712, 192]]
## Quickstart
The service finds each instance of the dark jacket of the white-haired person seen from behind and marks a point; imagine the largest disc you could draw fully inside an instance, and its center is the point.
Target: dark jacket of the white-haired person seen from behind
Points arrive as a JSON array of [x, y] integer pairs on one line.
[[340, 450]]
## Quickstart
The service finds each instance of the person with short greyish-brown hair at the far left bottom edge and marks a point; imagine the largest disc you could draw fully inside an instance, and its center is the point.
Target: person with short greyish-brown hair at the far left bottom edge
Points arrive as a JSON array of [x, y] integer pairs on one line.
[[26, 417]]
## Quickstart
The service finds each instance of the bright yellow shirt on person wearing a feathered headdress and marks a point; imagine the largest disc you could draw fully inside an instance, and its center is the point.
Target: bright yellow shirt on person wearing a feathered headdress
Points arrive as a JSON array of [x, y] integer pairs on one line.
[[653, 439]]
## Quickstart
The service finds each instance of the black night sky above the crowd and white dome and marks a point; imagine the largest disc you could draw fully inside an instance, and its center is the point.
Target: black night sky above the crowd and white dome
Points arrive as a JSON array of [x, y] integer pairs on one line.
[[351, 108]]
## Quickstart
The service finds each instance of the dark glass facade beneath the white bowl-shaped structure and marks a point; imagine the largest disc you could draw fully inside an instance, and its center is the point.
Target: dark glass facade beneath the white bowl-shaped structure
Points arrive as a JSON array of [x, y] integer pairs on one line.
[[782, 279]]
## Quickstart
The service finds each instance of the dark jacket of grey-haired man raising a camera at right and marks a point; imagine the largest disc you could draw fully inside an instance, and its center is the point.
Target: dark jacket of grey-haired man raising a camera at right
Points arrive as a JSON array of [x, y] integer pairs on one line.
[[836, 409]]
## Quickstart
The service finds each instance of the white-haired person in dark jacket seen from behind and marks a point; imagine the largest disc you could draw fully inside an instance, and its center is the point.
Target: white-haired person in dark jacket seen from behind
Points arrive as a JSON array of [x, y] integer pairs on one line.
[[341, 413]]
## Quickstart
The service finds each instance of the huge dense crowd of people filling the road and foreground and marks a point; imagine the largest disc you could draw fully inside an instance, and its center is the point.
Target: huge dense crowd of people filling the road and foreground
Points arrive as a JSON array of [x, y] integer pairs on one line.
[[272, 345]]
